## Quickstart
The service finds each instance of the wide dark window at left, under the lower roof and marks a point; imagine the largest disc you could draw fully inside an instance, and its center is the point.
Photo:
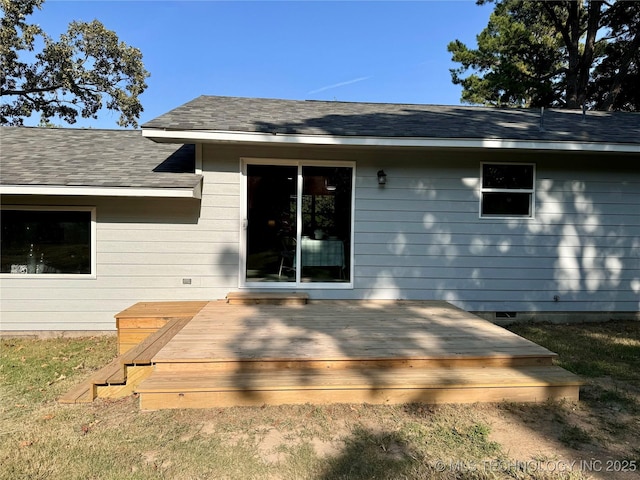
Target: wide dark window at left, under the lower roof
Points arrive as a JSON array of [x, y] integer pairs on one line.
[[48, 241]]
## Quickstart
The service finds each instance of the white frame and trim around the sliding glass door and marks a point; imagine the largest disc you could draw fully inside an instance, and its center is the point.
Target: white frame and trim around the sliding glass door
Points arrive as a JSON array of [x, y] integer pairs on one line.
[[242, 283]]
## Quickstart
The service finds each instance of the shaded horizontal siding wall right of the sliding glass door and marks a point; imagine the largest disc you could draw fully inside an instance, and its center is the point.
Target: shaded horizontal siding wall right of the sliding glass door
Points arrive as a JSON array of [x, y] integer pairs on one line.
[[421, 237]]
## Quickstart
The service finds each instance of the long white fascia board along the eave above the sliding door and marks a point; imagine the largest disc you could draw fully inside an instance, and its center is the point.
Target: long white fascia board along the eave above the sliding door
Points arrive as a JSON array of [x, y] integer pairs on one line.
[[194, 136]]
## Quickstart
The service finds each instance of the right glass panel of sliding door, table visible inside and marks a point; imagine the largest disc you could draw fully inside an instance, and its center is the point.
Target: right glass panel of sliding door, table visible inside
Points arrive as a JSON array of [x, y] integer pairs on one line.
[[325, 243]]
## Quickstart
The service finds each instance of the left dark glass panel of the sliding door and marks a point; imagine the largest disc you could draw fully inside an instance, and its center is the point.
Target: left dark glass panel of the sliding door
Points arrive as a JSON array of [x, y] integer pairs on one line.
[[271, 223]]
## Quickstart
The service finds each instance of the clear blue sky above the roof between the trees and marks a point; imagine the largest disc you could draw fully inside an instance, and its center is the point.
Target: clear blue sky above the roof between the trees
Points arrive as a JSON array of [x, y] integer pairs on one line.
[[369, 51]]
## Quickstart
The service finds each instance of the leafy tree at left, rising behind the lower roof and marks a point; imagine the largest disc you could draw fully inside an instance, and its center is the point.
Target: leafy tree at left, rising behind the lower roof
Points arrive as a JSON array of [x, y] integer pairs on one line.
[[87, 69]]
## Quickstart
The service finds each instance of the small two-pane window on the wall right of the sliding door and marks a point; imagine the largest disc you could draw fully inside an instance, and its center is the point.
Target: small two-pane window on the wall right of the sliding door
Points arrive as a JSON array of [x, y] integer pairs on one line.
[[507, 190]]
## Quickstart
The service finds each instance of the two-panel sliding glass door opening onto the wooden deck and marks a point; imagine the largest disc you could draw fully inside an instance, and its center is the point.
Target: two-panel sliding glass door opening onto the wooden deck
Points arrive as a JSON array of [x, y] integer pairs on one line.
[[298, 223]]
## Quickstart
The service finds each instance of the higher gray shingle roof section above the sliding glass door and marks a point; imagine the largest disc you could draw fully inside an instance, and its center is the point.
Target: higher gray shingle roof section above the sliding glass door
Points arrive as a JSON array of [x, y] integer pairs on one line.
[[397, 120]]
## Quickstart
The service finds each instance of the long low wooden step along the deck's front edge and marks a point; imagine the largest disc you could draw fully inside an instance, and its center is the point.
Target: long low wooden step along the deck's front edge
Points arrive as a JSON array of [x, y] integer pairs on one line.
[[379, 386]]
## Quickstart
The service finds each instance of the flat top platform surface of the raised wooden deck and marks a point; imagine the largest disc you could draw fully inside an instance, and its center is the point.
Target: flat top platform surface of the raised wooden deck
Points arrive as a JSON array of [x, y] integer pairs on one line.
[[338, 331]]
